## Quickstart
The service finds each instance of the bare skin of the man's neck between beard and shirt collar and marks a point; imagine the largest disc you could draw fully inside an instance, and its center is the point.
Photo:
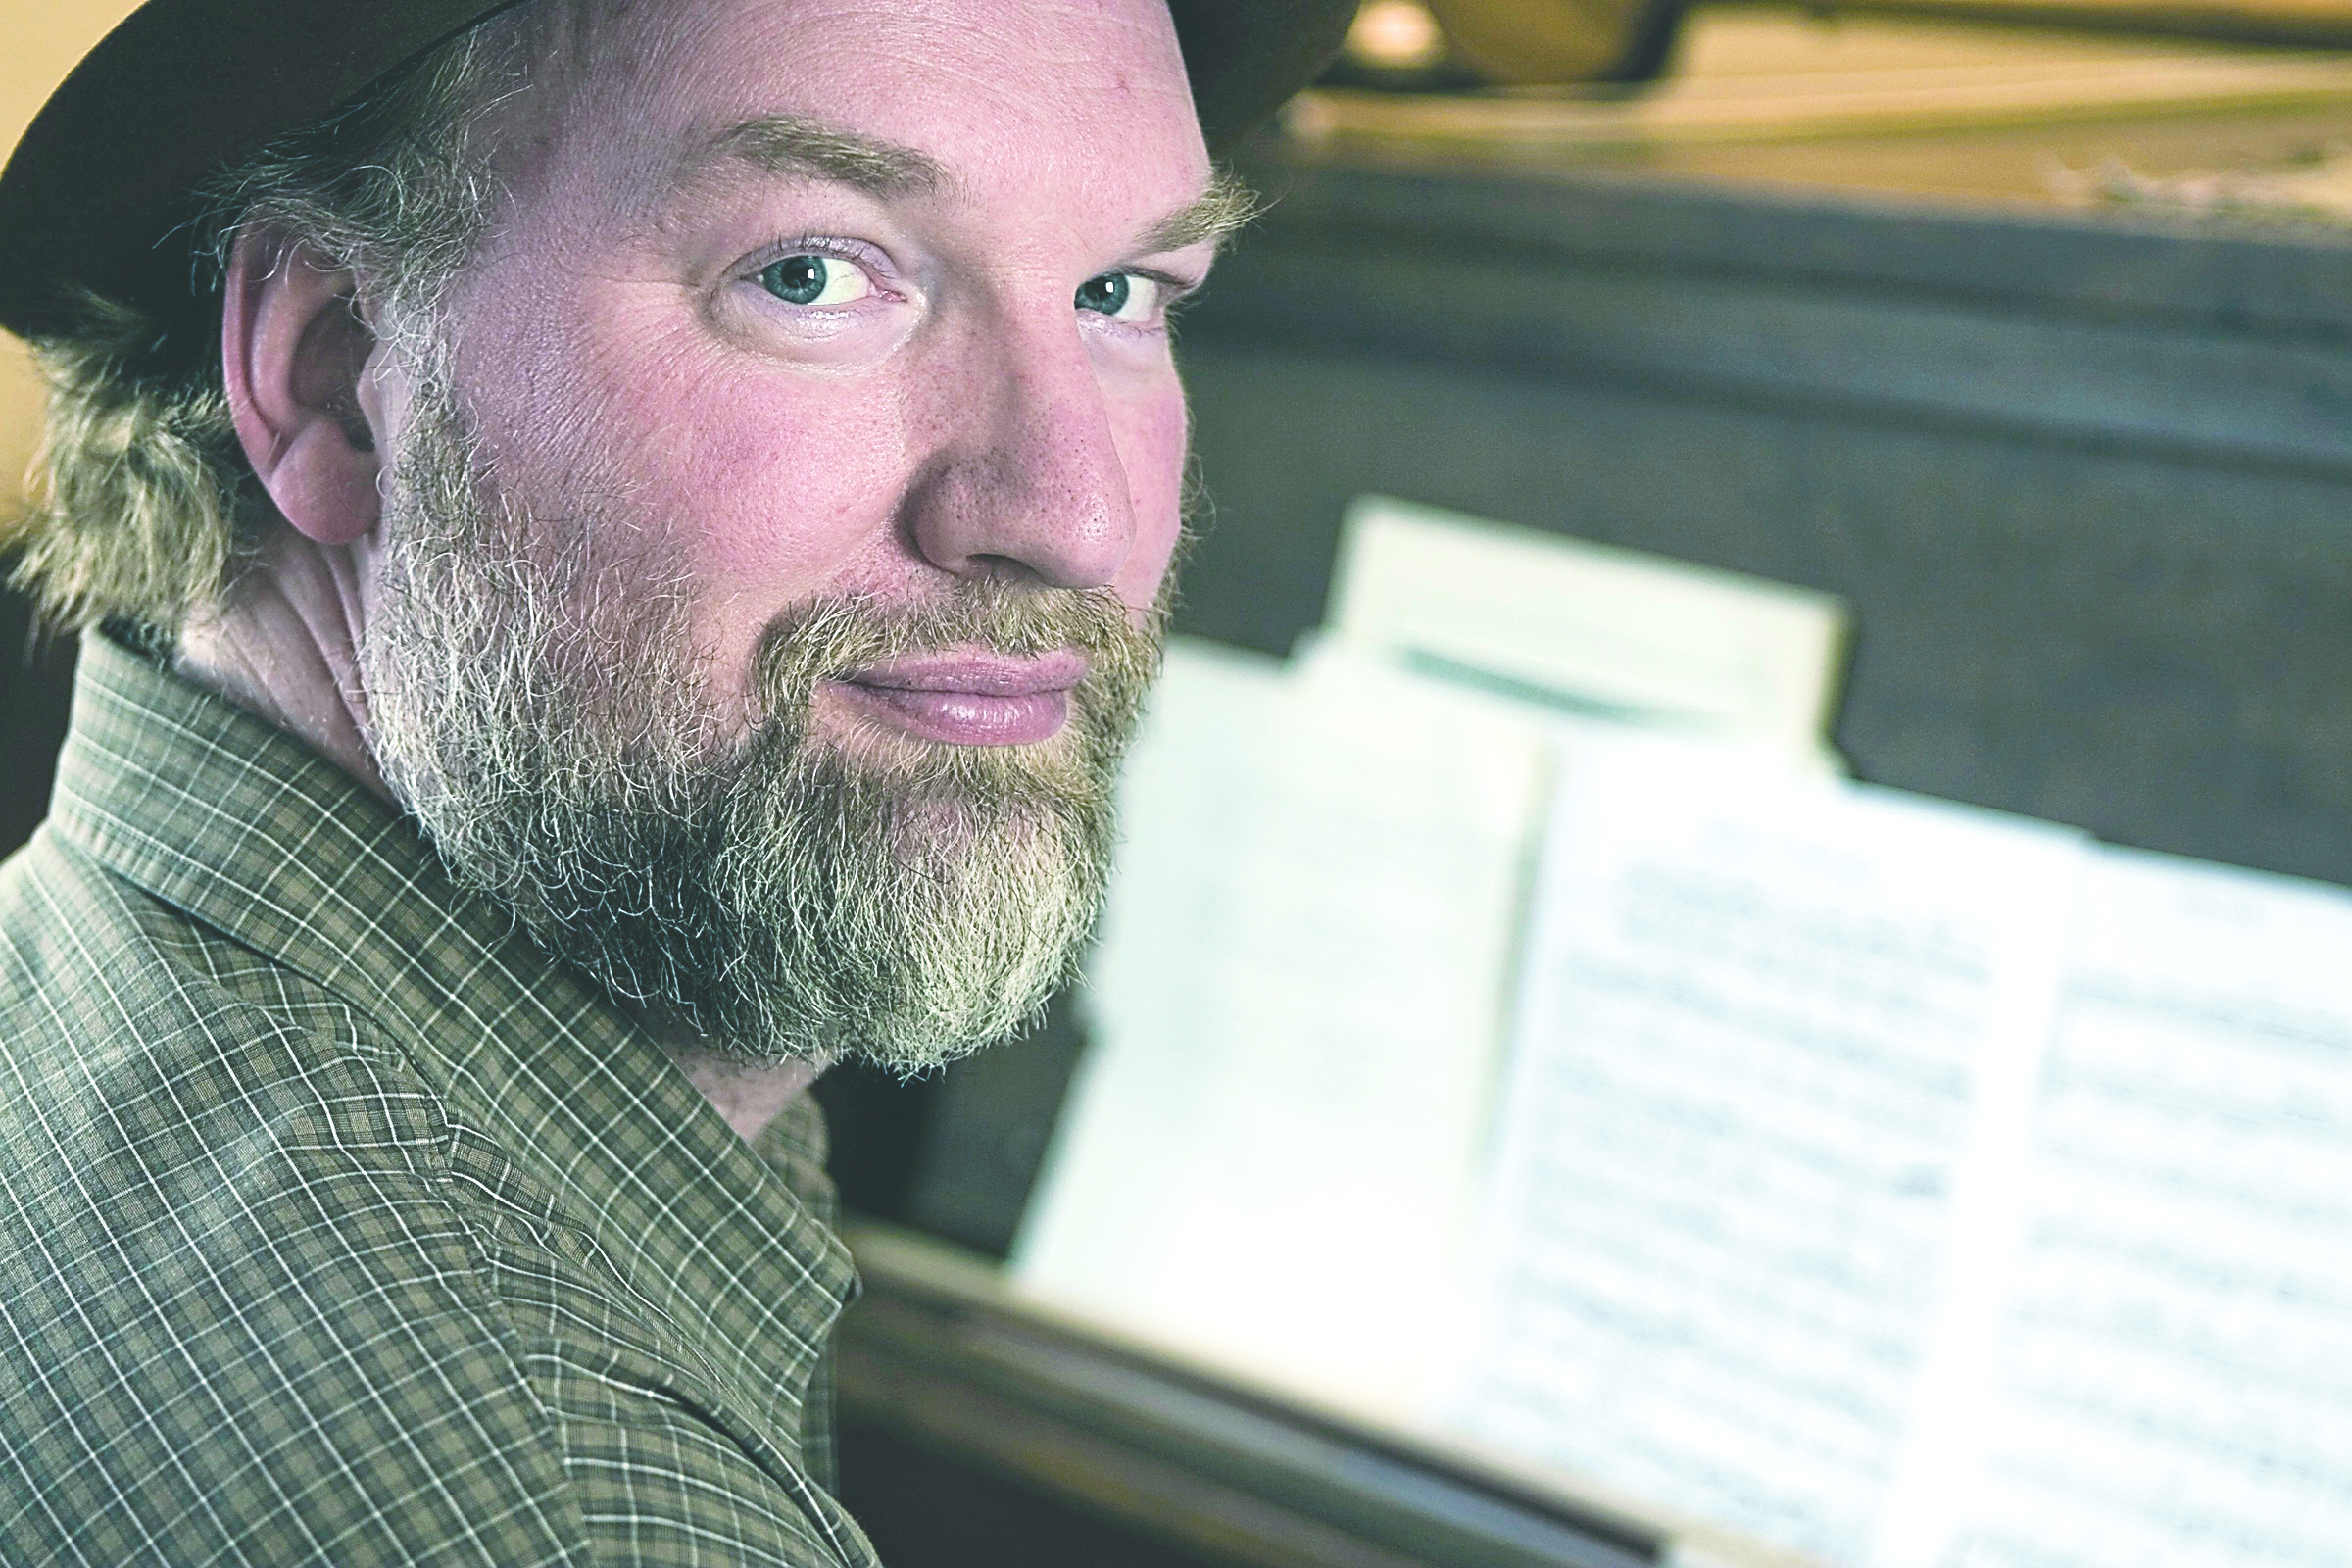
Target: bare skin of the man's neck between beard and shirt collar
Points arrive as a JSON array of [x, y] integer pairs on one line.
[[286, 645]]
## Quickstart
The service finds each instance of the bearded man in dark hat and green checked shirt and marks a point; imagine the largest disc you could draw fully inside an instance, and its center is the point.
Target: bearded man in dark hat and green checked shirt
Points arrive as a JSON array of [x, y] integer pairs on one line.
[[622, 542]]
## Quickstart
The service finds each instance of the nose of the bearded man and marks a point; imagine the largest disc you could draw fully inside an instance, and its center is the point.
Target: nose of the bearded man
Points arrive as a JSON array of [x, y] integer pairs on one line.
[[1029, 478]]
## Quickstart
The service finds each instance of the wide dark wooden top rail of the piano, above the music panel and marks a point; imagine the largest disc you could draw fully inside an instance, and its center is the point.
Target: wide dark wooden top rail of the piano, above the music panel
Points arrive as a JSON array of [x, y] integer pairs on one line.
[[2214, 351]]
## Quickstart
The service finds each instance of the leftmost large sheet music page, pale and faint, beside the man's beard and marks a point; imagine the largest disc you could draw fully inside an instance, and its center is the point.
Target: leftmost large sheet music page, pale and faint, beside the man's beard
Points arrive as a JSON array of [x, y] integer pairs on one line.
[[1295, 1021]]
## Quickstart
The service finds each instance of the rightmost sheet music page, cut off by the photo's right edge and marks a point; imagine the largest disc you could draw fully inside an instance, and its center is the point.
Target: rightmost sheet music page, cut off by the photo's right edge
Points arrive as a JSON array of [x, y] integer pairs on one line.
[[2177, 1379]]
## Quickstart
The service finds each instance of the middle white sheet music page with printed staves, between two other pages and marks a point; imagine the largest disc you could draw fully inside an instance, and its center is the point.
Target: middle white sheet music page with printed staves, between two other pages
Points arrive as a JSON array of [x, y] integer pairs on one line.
[[1756, 1193]]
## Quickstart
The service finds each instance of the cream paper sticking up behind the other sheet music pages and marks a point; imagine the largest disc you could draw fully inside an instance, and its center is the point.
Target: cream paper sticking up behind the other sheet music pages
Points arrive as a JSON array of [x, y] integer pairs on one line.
[[1593, 629]]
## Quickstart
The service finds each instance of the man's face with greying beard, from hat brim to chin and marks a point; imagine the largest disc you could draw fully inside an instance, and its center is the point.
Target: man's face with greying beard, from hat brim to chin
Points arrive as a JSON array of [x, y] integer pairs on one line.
[[773, 556]]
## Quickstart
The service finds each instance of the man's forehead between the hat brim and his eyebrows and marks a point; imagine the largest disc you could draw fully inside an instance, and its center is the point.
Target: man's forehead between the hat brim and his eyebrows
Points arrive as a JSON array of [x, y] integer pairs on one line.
[[1085, 98]]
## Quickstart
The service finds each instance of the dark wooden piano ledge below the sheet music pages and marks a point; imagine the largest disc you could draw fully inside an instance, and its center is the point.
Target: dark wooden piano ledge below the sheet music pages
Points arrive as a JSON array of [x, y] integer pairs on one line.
[[1227, 1473]]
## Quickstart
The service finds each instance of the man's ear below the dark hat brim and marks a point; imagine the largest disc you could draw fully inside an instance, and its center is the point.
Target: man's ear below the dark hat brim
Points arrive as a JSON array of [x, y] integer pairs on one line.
[[293, 356]]
